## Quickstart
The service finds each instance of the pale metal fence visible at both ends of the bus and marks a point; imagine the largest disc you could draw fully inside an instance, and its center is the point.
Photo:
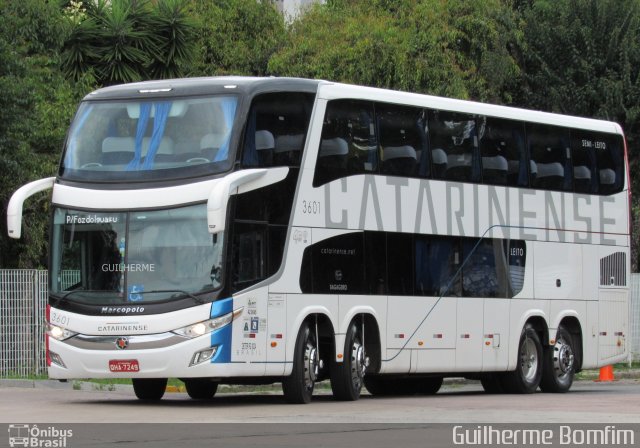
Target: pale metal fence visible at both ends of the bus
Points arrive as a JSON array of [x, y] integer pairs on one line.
[[23, 299]]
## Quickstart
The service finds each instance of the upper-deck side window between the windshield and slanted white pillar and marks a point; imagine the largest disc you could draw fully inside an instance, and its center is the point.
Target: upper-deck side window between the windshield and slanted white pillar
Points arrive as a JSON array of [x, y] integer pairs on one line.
[[276, 129]]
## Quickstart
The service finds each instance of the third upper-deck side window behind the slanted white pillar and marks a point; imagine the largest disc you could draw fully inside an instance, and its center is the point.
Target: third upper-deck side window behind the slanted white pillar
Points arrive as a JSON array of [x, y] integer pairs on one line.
[[453, 140]]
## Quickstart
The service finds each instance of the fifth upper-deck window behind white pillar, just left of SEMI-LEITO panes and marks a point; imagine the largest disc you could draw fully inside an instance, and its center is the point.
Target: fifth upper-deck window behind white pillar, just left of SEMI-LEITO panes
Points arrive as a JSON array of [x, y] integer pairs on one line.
[[549, 152]]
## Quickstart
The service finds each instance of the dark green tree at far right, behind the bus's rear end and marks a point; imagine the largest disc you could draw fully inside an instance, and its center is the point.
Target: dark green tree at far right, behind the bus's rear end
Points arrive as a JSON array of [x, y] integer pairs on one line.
[[582, 57]]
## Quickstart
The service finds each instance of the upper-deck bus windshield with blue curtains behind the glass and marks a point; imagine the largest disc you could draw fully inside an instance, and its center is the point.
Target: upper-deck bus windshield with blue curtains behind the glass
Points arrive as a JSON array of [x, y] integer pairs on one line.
[[156, 139]]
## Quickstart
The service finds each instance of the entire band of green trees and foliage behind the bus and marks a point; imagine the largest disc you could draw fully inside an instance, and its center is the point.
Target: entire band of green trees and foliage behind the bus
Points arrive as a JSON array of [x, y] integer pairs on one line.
[[579, 57]]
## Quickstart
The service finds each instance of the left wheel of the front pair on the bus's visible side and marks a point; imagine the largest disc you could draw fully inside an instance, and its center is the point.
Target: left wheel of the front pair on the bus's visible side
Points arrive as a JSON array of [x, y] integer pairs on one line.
[[298, 387]]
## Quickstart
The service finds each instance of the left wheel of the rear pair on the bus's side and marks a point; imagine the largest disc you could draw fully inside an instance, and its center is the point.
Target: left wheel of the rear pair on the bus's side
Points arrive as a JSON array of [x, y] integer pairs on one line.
[[525, 379]]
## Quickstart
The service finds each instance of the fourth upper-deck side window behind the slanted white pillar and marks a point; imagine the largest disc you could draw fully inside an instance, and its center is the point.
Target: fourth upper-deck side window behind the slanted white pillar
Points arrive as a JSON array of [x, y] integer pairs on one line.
[[504, 160]]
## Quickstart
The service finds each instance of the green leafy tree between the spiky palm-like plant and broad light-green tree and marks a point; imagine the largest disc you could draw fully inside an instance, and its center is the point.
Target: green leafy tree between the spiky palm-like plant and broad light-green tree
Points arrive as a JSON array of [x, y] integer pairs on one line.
[[237, 36]]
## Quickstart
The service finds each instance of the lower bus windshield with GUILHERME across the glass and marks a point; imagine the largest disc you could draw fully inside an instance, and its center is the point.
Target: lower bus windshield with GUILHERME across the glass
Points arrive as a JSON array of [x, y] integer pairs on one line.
[[143, 256]]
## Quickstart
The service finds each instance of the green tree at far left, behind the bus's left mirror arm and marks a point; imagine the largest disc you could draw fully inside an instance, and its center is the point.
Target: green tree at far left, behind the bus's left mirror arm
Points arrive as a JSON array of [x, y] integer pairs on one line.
[[36, 105]]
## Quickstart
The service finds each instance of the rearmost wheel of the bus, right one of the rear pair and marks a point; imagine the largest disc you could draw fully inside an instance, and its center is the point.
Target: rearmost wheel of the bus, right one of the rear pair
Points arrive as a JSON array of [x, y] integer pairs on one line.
[[559, 364]]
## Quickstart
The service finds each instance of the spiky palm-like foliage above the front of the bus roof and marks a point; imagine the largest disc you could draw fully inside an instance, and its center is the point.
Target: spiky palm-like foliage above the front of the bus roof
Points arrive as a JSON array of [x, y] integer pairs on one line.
[[122, 41]]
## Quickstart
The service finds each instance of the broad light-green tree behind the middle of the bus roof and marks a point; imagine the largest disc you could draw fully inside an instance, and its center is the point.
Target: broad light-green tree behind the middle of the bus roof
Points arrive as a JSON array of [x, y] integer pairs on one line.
[[452, 48]]
